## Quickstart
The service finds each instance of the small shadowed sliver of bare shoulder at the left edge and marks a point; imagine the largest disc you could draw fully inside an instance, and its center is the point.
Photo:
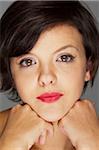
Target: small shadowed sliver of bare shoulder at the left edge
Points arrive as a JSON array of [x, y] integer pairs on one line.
[[3, 119]]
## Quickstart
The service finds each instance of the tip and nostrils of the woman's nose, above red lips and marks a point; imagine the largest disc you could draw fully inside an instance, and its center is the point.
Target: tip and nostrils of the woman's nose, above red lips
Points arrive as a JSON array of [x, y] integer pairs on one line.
[[47, 78]]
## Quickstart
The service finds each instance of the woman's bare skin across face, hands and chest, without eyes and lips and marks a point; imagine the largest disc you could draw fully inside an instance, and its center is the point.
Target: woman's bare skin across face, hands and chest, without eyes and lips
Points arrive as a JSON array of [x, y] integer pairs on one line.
[[65, 121]]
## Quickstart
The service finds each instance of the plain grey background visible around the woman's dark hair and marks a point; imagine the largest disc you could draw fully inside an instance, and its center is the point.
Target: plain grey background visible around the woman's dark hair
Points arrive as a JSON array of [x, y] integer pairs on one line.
[[91, 93]]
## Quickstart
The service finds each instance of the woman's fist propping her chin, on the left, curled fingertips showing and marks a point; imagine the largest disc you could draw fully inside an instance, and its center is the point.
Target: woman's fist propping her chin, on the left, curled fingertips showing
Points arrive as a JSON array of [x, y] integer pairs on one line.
[[24, 127]]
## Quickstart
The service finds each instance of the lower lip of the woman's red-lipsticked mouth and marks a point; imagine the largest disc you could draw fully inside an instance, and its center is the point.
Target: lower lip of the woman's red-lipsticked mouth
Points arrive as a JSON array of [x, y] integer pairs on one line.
[[50, 99]]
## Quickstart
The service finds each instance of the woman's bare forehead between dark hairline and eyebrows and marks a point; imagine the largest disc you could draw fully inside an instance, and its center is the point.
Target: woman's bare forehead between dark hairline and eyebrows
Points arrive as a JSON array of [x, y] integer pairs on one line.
[[57, 37]]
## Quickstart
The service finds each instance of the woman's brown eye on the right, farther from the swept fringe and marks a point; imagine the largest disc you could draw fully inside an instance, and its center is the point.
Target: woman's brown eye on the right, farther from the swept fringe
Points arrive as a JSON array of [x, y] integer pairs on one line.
[[65, 58]]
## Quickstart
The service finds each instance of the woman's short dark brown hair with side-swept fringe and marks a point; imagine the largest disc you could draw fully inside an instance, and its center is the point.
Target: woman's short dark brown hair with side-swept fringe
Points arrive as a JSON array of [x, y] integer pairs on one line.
[[24, 21]]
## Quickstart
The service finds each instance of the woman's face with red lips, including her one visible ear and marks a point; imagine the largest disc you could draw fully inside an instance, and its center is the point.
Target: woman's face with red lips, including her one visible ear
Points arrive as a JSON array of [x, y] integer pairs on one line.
[[56, 65]]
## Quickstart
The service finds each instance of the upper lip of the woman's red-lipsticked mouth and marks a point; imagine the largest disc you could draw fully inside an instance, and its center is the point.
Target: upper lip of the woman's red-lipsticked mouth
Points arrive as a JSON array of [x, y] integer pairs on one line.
[[49, 95]]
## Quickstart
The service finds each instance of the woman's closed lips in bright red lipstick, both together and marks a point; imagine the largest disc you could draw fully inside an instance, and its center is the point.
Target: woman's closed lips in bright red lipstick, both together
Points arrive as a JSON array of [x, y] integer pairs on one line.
[[49, 97]]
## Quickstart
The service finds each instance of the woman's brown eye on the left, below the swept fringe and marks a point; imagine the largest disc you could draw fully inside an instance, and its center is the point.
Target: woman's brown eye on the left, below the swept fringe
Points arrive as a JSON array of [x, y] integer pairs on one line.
[[26, 62]]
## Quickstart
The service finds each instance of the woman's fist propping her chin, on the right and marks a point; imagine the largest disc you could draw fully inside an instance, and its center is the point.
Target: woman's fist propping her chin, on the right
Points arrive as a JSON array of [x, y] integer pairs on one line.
[[82, 126]]
